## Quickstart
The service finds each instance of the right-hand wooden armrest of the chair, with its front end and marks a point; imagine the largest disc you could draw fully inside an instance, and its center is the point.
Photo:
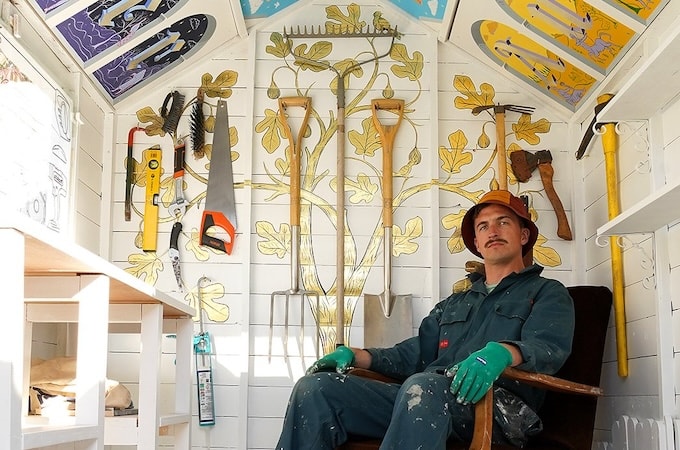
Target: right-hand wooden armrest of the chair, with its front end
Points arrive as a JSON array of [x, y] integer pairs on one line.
[[481, 439]]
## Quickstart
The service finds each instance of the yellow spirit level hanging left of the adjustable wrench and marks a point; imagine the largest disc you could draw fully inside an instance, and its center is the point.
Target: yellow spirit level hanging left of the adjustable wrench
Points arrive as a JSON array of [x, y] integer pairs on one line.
[[153, 184]]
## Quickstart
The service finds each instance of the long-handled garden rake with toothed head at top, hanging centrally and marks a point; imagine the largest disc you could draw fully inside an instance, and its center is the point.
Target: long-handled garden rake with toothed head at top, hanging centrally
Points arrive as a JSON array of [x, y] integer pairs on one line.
[[340, 31]]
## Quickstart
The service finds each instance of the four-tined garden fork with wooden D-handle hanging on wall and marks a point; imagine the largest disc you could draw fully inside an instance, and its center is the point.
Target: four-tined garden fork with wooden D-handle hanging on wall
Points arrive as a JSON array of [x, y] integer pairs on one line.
[[295, 148]]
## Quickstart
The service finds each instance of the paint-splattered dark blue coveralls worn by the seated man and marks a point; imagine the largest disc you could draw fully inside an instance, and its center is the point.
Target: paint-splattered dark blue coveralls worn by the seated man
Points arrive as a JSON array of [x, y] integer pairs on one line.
[[533, 313]]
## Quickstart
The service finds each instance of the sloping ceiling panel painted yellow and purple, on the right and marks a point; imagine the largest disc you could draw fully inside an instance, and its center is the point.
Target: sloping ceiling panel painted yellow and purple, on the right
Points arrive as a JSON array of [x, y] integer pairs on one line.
[[563, 49]]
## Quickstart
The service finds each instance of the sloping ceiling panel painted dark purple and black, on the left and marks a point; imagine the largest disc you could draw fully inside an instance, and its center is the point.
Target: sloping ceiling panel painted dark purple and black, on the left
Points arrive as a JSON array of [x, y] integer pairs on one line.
[[126, 45]]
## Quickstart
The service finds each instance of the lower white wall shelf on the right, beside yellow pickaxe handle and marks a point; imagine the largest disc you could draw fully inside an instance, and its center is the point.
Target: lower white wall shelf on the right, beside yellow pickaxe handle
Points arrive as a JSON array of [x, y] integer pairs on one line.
[[655, 211]]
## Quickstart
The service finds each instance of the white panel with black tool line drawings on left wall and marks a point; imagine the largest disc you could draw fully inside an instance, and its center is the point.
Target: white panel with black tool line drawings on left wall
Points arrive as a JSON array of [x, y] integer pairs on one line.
[[35, 122]]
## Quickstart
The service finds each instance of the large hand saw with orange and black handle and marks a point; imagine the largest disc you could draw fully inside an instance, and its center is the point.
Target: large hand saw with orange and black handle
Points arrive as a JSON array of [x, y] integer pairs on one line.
[[220, 203]]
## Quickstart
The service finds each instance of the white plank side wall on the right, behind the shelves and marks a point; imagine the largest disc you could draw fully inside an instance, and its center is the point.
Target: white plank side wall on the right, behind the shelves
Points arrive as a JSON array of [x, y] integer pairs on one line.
[[634, 403]]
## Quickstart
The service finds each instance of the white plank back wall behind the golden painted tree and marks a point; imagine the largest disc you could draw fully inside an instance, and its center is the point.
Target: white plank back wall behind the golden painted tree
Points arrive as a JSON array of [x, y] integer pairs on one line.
[[251, 392]]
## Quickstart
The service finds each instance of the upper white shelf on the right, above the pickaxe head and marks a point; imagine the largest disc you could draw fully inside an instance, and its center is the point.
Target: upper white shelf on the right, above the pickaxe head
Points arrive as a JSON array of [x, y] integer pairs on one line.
[[653, 85]]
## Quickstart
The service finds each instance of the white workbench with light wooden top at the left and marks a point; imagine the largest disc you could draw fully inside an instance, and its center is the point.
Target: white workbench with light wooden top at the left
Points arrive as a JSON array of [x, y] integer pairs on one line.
[[47, 278]]
